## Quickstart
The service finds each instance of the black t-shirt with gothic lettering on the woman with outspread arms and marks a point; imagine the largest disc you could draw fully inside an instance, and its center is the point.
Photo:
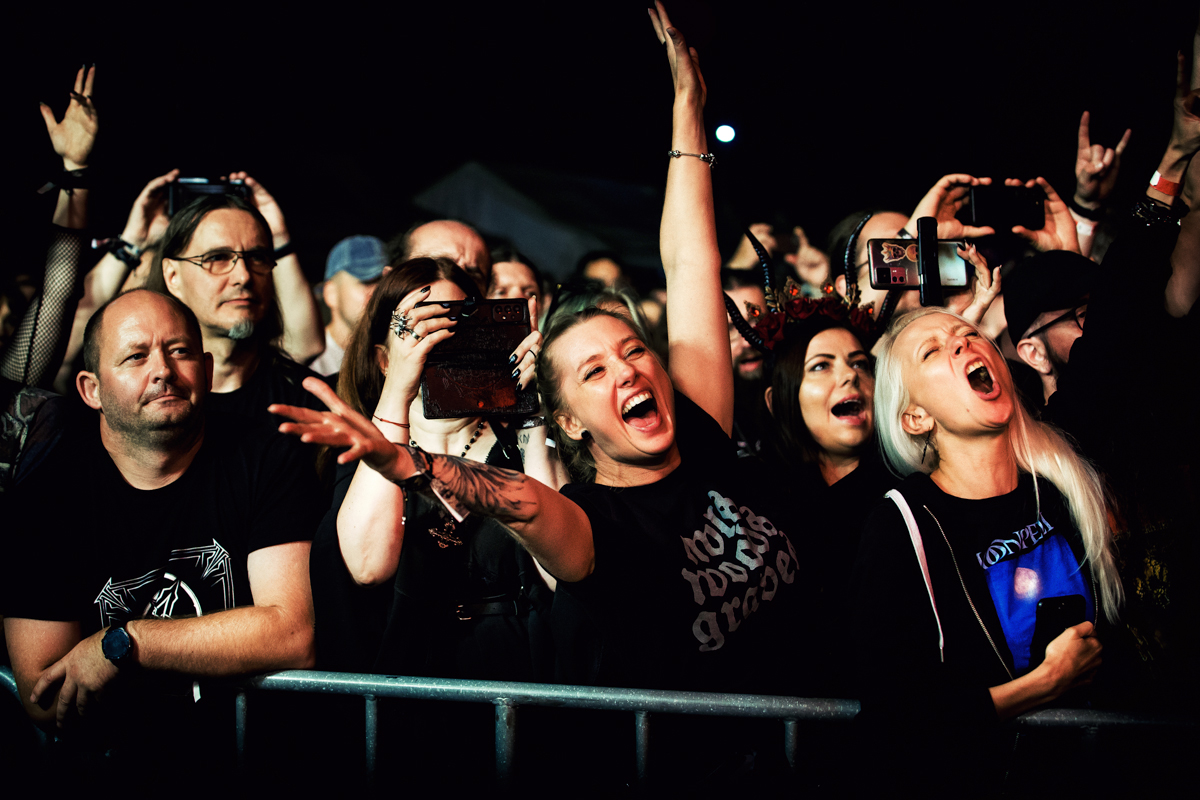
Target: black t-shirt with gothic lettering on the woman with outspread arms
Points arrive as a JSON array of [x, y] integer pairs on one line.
[[695, 578]]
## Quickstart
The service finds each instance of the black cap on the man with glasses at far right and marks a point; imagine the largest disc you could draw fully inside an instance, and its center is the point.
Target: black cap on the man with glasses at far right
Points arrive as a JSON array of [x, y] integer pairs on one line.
[[1049, 281]]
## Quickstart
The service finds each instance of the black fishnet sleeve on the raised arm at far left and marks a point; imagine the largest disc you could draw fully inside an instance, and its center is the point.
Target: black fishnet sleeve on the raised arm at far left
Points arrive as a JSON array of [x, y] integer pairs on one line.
[[37, 351]]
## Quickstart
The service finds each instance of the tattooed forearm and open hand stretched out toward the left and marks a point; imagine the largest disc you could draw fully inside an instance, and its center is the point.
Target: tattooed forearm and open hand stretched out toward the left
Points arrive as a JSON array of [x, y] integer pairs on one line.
[[555, 531]]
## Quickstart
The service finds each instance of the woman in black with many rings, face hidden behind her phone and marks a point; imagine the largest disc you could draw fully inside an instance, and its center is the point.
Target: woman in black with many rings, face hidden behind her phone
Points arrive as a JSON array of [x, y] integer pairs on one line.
[[399, 586]]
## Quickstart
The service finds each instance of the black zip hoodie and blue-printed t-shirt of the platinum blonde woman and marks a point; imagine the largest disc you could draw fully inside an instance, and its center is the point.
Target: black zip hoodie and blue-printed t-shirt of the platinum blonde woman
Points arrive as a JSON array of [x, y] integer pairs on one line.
[[1006, 556]]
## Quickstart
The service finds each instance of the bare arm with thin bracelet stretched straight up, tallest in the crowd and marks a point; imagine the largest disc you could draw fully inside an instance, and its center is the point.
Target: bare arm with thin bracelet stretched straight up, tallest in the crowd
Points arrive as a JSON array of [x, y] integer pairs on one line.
[[700, 363]]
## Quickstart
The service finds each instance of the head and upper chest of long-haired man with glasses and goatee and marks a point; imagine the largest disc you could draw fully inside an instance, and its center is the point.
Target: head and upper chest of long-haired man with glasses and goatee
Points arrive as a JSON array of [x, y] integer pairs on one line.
[[217, 257]]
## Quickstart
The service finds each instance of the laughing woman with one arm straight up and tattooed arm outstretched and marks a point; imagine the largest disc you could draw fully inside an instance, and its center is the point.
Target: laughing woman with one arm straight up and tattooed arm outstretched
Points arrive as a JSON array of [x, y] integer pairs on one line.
[[675, 551]]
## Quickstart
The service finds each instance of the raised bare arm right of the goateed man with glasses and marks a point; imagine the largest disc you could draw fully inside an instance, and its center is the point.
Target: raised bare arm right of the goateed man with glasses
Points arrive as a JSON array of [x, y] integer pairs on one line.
[[304, 336]]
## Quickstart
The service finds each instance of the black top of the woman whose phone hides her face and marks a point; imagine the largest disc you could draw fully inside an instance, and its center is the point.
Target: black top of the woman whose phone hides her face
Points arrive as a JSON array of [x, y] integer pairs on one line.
[[410, 625]]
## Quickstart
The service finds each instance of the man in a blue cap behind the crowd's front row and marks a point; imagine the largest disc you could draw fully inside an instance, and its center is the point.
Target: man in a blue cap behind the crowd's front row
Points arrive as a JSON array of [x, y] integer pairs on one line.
[[352, 272]]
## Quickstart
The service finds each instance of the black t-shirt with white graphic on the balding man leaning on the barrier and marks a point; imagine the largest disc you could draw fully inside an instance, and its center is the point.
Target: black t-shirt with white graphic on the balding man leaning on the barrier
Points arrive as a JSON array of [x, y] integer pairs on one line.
[[101, 552]]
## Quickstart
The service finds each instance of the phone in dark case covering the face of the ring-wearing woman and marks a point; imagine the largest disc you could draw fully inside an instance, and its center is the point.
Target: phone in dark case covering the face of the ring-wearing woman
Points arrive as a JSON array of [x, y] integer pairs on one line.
[[470, 374]]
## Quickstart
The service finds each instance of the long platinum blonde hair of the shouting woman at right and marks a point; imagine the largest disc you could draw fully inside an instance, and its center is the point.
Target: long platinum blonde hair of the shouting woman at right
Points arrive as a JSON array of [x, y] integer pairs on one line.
[[1039, 448]]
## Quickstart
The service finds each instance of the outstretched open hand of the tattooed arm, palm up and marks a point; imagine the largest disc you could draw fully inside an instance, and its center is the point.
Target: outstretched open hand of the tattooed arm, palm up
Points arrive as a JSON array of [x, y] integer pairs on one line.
[[339, 428]]
